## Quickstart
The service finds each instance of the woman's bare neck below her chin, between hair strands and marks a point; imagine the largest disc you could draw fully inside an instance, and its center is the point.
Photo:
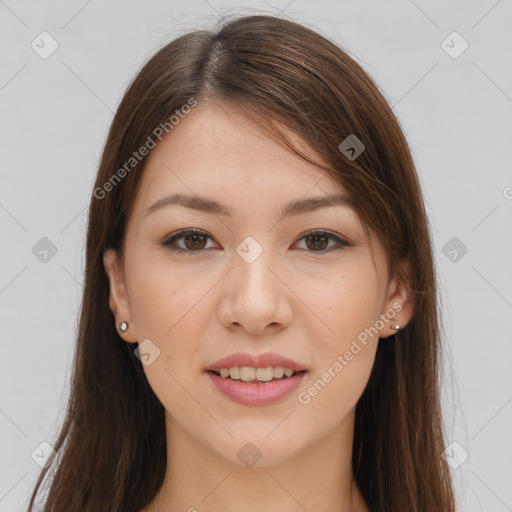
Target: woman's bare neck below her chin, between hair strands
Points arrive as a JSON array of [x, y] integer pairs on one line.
[[318, 477]]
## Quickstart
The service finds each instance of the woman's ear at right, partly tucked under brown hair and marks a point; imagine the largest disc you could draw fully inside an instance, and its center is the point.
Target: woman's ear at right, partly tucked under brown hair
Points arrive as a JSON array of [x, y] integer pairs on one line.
[[398, 307]]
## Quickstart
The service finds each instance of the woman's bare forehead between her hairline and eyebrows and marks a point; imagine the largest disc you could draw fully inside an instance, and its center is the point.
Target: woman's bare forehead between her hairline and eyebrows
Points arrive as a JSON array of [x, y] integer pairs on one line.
[[214, 150]]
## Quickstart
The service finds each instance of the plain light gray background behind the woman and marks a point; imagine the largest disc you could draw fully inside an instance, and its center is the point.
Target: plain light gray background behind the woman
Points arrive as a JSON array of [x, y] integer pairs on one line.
[[456, 112]]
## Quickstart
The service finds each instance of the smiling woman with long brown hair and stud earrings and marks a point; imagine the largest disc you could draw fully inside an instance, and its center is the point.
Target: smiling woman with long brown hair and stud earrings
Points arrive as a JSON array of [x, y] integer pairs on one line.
[[259, 327]]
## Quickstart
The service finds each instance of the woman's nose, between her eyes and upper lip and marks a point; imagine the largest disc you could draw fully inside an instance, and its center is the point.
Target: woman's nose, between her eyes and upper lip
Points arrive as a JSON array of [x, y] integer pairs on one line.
[[255, 297]]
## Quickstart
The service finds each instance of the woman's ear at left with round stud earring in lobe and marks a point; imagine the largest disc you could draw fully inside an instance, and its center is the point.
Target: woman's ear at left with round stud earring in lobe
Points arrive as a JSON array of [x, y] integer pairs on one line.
[[118, 298]]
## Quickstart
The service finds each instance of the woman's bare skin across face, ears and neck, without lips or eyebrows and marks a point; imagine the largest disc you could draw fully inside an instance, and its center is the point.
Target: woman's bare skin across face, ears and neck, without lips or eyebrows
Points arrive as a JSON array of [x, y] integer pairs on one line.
[[294, 299]]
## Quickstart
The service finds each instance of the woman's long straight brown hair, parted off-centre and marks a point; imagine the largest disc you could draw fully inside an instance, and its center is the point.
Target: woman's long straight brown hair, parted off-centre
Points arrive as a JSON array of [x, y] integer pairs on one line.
[[112, 445]]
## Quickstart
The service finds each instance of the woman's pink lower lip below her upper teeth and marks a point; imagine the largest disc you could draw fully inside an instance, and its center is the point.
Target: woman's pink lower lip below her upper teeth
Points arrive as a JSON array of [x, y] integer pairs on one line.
[[256, 393]]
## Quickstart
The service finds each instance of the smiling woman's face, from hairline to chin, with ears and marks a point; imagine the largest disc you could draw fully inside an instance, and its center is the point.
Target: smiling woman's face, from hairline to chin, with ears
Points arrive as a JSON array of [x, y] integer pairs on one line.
[[303, 286]]
